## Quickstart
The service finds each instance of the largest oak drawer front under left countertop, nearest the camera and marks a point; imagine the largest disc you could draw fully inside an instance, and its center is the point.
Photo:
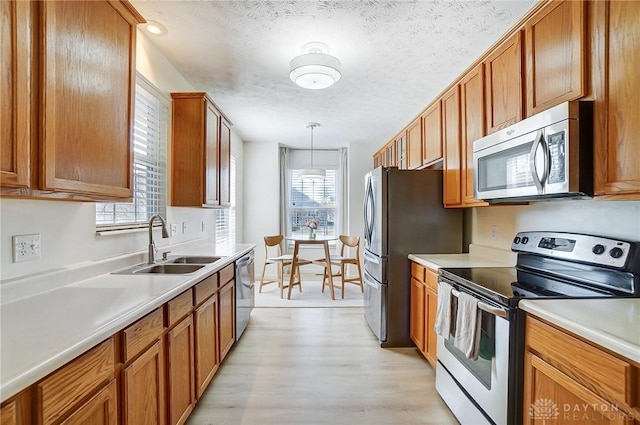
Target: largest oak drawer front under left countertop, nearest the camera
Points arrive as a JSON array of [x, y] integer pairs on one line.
[[64, 388]]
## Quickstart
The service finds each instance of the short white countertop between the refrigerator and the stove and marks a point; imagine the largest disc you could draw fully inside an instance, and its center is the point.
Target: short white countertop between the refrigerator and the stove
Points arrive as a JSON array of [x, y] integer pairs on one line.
[[478, 256]]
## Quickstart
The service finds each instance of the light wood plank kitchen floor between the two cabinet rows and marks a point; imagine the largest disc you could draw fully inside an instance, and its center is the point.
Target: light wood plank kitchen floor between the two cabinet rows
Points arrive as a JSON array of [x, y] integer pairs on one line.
[[317, 366]]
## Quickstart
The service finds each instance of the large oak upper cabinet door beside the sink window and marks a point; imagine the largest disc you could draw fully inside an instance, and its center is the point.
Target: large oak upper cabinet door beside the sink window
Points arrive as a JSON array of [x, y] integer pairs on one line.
[[86, 107]]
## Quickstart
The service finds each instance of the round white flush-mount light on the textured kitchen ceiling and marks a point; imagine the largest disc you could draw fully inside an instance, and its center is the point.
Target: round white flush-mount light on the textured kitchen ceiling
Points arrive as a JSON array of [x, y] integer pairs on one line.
[[315, 68]]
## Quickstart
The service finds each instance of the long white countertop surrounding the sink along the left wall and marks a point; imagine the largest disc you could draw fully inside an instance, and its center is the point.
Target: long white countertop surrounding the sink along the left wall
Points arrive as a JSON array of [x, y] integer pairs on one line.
[[45, 330]]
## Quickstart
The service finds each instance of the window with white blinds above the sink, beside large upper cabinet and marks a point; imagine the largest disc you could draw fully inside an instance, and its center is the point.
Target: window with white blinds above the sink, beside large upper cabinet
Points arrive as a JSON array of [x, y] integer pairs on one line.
[[149, 164]]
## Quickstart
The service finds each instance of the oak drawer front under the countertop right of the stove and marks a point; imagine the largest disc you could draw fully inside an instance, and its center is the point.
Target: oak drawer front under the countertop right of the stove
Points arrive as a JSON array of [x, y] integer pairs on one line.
[[597, 370]]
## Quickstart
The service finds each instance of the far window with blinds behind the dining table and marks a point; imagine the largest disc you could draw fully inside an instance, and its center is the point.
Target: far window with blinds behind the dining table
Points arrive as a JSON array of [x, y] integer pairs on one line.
[[312, 201]]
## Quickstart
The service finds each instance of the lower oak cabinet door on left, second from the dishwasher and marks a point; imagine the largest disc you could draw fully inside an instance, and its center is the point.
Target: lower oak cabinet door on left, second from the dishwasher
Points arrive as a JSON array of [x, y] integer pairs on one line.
[[206, 339]]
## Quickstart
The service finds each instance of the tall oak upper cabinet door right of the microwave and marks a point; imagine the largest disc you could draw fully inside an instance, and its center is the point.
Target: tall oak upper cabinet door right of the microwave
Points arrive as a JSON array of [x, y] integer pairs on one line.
[[617, 110]]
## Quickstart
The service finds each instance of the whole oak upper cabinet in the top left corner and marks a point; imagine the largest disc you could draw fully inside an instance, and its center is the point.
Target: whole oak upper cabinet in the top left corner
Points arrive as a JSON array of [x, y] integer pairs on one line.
[[83, 145]]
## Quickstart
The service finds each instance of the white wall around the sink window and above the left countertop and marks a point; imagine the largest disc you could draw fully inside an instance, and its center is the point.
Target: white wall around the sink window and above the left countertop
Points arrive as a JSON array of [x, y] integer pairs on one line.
[[67, 229]]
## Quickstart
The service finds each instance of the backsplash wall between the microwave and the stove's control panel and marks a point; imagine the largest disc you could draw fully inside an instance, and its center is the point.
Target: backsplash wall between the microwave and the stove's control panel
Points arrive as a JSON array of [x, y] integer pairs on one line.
[[618, 219]]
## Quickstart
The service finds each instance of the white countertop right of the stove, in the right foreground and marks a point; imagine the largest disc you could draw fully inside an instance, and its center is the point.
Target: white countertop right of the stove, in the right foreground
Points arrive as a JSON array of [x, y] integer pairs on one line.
[[611, 323]]
